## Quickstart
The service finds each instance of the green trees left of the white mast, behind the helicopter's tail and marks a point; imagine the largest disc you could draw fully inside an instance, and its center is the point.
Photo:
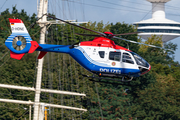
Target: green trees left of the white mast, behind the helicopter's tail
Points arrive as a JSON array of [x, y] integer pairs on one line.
[[16, 72]]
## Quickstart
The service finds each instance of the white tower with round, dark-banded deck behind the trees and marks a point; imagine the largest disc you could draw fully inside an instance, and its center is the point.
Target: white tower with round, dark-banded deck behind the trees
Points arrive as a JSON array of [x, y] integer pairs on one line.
[[158, 24]]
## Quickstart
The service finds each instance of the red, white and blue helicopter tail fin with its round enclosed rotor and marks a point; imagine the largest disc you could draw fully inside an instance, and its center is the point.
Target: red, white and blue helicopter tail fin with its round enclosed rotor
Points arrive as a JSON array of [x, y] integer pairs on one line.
[[19, 42]]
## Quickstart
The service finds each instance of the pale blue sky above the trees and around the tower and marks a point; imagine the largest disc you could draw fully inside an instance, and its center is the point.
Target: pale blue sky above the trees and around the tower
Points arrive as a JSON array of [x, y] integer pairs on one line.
[[108, 11]]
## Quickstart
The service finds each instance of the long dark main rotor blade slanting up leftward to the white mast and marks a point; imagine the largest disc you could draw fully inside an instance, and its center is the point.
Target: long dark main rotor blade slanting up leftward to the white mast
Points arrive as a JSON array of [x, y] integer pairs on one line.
[[77, 25]]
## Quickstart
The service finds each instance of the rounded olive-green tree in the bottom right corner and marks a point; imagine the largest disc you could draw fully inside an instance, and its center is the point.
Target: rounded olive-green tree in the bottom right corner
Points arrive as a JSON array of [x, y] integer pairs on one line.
[[159, 100]]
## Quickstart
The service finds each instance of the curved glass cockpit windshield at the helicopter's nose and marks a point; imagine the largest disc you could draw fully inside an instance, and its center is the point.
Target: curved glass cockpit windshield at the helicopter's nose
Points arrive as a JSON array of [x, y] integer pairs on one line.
[[139, 60]]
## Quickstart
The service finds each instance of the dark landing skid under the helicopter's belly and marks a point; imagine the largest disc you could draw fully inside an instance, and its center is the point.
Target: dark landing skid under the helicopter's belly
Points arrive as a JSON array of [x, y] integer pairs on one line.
[[99, 79]]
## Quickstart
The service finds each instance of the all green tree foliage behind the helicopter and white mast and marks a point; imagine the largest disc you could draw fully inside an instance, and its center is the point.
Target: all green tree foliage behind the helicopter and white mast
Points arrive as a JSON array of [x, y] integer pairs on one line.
[[151, 96]]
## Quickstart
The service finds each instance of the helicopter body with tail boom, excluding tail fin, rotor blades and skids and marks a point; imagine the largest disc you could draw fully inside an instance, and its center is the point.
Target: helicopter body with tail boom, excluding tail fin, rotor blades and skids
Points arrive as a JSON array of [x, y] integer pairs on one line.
[[102, 57]]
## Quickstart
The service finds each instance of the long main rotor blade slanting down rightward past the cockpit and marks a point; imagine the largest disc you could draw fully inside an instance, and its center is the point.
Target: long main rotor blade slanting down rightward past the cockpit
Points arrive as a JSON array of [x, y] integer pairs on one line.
[[141, 43]]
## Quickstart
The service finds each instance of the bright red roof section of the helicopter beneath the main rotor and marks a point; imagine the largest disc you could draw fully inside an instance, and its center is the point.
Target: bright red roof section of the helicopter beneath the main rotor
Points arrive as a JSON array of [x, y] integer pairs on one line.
[[102, 42]]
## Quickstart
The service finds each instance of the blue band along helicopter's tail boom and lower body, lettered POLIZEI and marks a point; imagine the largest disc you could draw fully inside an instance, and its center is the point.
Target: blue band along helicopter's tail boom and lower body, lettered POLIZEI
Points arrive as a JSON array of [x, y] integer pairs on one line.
[[84, 60]]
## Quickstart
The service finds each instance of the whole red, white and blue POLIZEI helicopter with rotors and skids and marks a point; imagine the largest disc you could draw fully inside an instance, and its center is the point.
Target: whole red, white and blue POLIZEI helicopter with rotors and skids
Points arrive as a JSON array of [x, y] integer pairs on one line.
[[101, 56]]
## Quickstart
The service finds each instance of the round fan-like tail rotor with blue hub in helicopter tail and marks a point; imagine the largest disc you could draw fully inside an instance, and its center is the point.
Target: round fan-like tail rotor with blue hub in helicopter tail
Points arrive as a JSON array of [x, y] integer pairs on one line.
[[19, 43]]
